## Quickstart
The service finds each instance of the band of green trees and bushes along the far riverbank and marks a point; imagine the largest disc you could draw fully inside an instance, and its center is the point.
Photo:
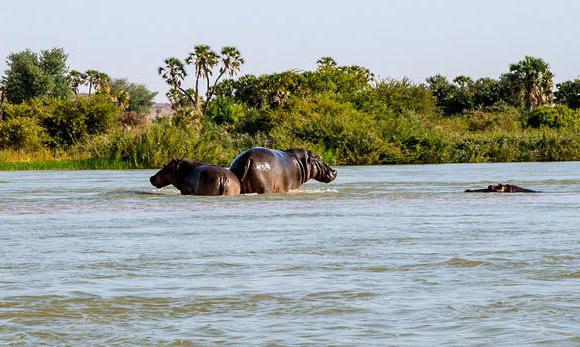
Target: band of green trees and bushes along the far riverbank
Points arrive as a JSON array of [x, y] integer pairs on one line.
[[343, 113]]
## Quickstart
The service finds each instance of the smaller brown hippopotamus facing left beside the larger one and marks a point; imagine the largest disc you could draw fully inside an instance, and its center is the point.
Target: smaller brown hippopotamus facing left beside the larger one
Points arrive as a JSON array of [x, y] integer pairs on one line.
[[192, 177]]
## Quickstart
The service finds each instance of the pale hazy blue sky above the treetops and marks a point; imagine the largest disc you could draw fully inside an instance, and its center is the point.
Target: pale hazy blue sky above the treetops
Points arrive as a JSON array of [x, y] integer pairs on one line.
[[394, 39]]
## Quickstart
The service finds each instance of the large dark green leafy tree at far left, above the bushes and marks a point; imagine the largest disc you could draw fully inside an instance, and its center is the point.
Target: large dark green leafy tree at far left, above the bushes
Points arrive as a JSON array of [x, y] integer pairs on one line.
[[31, 75]]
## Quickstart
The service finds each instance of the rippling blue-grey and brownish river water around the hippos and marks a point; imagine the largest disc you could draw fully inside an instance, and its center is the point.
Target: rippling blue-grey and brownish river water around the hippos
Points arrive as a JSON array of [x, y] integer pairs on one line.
[[385, 255]]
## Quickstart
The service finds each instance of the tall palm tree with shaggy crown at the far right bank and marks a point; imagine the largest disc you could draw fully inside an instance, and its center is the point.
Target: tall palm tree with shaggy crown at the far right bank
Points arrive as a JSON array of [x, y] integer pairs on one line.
[[531, 82]]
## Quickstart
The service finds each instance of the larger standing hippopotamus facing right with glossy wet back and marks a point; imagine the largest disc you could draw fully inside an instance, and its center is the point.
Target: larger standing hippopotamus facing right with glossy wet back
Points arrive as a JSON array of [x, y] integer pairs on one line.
[[263, 170]]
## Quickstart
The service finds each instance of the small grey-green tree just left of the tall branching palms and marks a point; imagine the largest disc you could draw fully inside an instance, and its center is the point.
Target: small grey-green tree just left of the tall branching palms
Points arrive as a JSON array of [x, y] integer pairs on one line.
[[134, 97]]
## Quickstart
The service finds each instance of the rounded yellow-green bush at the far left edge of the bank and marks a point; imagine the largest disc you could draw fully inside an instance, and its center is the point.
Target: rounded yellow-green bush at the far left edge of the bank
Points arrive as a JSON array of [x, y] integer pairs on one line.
[[21, 133]]
